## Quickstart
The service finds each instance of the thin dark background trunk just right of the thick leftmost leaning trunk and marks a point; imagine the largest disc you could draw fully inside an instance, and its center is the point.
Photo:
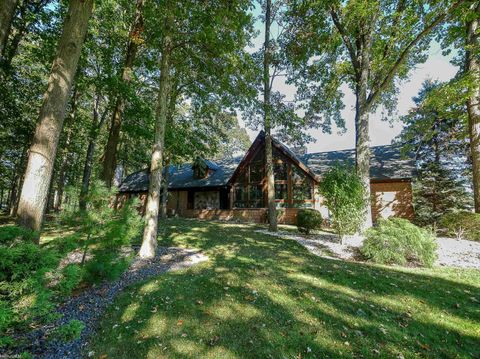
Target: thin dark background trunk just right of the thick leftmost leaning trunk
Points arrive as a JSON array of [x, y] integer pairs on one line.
[[87, 168]]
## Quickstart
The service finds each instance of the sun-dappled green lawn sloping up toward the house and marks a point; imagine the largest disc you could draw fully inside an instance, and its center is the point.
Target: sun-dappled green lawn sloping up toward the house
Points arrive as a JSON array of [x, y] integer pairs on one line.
[[261, 297]]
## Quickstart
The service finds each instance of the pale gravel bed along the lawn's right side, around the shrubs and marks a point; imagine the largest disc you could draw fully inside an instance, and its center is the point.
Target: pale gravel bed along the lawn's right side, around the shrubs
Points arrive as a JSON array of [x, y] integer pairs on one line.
[[451, 252]]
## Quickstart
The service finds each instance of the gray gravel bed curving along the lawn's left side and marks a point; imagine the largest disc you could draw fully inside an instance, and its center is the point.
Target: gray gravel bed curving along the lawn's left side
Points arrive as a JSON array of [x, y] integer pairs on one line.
[[89, 305]]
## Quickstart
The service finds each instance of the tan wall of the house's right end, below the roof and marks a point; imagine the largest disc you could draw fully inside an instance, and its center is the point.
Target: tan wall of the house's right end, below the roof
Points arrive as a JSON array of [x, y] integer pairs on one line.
[[392, 199]]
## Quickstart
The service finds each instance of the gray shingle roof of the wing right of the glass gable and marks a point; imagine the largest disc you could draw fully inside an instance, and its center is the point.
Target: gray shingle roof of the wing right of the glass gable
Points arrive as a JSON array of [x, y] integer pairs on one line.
[[386, 162]]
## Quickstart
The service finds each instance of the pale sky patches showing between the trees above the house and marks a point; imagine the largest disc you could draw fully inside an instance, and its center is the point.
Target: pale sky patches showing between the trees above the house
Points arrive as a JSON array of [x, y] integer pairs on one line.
[[437, 67]]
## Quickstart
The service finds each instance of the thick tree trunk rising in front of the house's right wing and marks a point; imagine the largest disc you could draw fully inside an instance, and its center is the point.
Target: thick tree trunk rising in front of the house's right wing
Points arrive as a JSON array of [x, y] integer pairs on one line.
[[362, 137]]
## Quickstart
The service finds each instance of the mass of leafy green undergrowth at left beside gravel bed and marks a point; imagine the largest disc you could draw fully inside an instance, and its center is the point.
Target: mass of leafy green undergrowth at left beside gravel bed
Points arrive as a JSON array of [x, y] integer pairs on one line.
[[35, 278]]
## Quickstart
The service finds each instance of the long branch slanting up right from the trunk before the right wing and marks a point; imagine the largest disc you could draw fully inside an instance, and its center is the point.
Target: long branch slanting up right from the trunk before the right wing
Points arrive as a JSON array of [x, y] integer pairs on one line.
[[403, 55]]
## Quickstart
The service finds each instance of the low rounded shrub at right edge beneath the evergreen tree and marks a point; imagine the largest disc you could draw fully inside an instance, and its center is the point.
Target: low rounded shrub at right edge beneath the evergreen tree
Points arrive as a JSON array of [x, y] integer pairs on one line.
[[461, 225]]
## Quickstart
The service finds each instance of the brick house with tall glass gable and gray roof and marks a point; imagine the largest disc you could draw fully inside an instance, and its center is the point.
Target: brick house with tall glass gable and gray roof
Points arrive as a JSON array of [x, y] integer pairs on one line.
[[234, 189]]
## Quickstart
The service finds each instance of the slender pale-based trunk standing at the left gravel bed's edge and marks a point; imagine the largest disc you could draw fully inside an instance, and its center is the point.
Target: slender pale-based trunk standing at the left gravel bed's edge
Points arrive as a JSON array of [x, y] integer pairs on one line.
[[149, 243]]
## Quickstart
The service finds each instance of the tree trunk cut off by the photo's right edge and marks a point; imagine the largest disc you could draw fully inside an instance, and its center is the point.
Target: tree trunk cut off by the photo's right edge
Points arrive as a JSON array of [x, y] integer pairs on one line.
[[473, 102]]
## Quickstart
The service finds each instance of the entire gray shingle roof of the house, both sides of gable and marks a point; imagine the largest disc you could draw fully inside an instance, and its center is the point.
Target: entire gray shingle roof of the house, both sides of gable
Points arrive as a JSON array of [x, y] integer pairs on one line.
[[386, 163]]
